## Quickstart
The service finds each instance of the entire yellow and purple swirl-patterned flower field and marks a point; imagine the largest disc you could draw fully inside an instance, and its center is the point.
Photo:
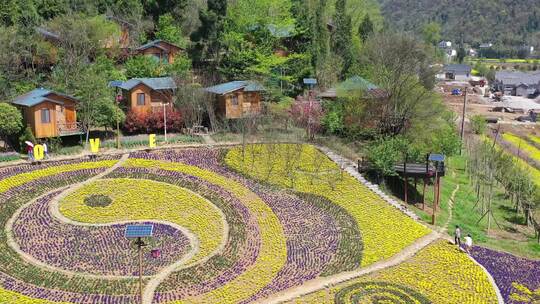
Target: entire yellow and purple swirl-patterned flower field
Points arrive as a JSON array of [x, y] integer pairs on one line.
[[235, 225]]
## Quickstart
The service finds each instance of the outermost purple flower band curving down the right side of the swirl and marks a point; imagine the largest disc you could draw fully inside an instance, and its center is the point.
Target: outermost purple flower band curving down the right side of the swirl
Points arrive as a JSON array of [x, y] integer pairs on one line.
[[312, 234]]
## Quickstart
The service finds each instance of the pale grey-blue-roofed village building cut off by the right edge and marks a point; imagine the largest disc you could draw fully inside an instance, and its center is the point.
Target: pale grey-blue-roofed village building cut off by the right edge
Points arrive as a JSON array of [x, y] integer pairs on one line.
[[516, 83]]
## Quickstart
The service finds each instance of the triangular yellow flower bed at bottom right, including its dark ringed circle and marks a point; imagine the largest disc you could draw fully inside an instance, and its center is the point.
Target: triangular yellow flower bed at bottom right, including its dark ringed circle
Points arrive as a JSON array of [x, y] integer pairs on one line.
[[440, 273]]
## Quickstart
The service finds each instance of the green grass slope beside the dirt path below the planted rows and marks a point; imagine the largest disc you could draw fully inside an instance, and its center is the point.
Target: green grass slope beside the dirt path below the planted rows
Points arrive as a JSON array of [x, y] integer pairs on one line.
[[511, 236]]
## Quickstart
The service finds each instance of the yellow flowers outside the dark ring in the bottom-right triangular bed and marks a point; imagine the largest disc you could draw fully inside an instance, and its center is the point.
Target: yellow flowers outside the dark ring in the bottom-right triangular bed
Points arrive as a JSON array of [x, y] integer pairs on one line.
[[440, 272]]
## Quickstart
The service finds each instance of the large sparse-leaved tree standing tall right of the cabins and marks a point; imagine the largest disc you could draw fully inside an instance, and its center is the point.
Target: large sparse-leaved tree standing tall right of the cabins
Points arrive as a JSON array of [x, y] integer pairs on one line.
[[400, 65]]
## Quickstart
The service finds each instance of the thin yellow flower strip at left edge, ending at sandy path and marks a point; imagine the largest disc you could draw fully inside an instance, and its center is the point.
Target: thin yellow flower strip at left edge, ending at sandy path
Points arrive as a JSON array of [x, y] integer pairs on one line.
[[23, 178]]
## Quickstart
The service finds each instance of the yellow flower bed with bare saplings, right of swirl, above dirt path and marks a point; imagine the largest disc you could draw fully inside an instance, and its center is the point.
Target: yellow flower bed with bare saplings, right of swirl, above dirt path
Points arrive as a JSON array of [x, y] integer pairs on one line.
[[385, 230]]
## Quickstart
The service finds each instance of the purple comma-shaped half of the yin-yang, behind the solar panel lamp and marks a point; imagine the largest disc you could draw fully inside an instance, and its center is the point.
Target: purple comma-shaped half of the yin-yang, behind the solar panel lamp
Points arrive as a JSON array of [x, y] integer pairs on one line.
[[94, 250]]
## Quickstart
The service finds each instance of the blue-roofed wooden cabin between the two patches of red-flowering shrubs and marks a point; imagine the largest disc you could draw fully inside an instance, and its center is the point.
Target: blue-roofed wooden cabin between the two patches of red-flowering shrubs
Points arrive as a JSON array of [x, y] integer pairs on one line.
[[237, 99]]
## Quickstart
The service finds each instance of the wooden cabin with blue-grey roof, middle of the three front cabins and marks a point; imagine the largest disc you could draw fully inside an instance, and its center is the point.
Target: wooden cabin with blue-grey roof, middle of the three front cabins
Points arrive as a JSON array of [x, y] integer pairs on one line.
[[146, 95]]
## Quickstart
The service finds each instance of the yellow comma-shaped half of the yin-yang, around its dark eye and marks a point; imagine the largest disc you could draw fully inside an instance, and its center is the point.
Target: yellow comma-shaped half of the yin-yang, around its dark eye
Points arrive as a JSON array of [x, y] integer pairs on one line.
[[138, 199]]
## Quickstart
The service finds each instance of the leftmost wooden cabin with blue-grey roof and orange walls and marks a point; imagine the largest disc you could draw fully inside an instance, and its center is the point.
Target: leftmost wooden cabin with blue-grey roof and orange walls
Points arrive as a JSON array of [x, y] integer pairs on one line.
[[48, 113]]
